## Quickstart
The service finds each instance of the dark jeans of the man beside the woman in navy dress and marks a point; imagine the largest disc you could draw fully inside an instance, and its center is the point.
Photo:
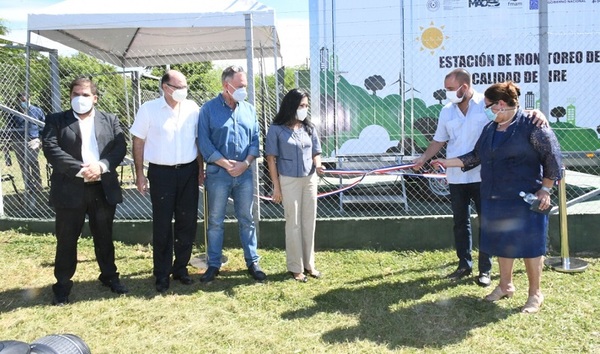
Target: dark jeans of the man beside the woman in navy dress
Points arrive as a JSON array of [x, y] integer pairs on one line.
[[461, 196]]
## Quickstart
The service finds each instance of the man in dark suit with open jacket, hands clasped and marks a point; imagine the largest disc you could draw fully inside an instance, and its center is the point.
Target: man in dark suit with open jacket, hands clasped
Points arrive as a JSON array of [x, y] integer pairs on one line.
[[84, 147]]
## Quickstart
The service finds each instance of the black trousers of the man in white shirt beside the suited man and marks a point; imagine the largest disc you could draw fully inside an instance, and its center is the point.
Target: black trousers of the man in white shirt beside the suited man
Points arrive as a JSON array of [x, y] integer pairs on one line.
[[174, 195]]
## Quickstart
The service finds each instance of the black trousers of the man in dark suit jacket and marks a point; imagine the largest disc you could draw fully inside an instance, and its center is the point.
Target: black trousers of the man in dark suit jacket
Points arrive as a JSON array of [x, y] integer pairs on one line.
[[68, 226]]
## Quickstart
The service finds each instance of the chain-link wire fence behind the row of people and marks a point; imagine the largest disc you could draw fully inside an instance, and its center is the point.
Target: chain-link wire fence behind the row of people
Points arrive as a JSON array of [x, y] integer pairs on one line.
[[374, 100]]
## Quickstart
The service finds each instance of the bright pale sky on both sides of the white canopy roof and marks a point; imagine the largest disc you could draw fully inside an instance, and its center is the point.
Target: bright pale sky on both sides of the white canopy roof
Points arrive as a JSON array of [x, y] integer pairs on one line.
[[291, 16]]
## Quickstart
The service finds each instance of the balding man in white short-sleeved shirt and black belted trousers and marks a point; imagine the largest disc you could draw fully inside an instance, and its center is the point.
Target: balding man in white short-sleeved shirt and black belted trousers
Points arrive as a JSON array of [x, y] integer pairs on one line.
[[164, 135]]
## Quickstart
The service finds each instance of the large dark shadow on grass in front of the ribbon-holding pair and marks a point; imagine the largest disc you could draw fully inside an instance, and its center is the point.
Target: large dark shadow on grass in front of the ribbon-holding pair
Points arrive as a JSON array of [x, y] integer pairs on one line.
[[388, 314]]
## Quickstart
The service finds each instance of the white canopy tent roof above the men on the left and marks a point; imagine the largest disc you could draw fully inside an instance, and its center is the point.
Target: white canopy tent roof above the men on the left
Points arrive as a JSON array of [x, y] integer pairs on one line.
[[136, 33]]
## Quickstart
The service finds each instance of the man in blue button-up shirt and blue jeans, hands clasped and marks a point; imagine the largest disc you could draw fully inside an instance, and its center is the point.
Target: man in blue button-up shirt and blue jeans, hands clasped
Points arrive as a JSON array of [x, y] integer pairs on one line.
[[228, 140]]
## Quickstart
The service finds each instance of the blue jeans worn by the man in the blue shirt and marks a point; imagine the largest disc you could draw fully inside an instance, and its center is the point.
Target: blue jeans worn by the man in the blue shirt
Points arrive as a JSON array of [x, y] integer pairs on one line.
[[220, 186]]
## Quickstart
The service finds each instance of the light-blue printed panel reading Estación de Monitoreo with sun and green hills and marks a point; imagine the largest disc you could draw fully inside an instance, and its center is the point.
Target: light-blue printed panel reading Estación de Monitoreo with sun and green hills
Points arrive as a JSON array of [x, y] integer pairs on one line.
[[378, 67]]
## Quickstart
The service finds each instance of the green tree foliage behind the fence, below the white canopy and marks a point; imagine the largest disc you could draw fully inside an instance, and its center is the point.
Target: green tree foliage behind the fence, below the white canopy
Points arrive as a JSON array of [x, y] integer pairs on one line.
[[117, 90]]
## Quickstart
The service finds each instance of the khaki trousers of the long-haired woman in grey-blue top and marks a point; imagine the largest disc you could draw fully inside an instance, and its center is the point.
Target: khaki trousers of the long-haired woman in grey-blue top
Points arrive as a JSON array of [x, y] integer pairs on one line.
[[300, 210]]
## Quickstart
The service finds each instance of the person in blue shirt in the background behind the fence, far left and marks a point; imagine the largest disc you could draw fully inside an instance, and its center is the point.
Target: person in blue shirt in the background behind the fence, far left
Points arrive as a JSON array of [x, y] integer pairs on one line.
[[26, 145]]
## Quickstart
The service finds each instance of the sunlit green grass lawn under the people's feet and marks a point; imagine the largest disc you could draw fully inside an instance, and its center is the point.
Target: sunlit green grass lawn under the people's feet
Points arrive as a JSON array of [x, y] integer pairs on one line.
[[367, 302]]
